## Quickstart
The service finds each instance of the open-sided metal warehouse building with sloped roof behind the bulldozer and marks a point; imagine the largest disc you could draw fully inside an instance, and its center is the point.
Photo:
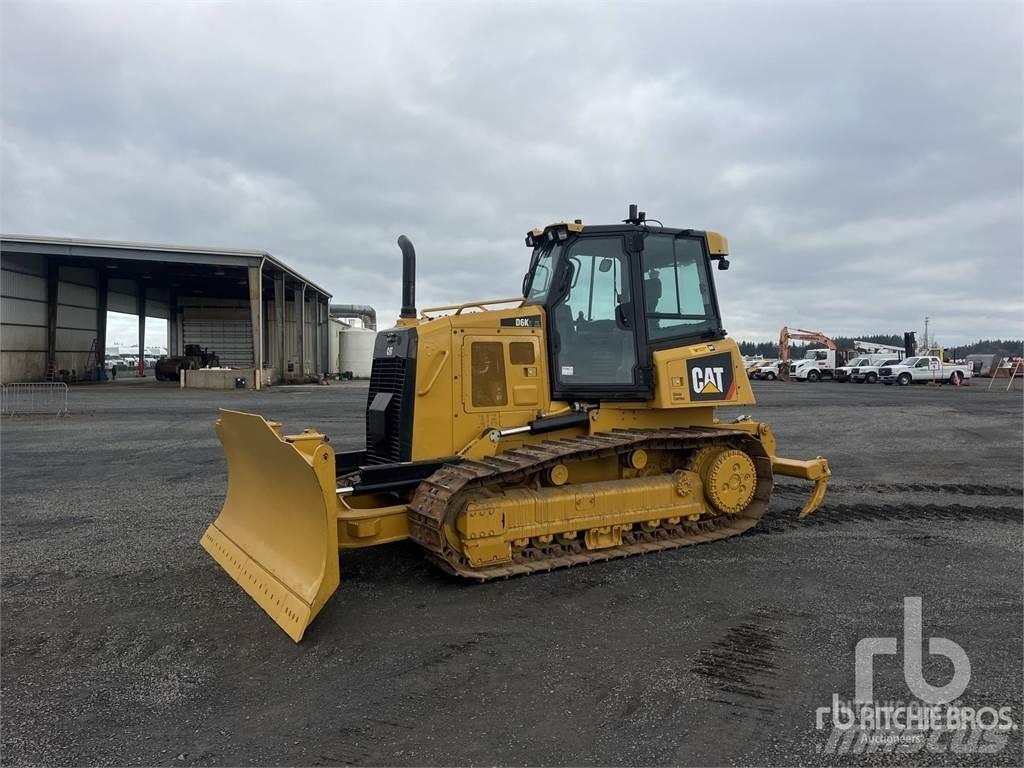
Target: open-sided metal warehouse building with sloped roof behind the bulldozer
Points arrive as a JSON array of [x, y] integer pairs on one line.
[[258, 314]]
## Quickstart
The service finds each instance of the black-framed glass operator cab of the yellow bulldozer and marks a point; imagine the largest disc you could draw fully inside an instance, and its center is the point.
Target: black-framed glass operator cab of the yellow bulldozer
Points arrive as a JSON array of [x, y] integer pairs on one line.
[[616, 294]]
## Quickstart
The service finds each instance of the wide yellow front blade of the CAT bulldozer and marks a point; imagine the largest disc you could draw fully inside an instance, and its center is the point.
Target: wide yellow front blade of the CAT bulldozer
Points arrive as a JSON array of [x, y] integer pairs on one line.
[[278, 533]]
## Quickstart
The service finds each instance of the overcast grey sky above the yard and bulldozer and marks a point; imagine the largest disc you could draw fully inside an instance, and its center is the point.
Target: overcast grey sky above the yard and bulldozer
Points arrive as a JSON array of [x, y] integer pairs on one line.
[[865, 160]]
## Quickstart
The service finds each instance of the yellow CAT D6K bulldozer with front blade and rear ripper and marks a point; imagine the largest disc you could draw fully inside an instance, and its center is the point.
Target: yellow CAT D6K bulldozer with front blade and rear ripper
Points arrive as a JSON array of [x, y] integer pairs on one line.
[[572, 424]]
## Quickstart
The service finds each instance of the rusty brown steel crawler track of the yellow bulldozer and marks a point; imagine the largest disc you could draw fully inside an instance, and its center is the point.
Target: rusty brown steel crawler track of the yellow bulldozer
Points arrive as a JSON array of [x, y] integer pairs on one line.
[[439, 499]]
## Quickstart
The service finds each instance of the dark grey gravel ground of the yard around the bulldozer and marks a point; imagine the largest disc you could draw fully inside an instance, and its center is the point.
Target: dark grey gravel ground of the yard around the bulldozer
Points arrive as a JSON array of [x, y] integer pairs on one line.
[[124, 644]]
